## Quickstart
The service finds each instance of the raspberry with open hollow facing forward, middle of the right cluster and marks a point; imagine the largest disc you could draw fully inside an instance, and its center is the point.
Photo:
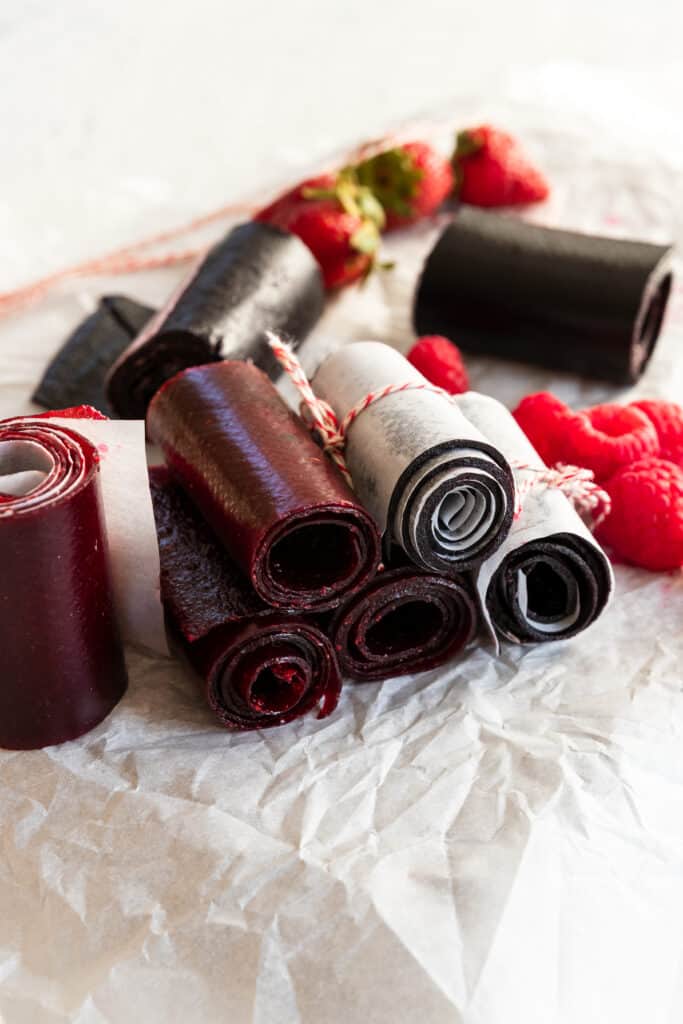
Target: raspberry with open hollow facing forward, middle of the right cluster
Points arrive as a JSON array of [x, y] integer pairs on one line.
[[606, 438]]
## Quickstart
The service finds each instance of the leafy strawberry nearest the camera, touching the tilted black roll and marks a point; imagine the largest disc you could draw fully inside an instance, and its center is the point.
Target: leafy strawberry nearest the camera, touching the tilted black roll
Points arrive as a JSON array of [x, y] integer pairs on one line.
[[339, 220]]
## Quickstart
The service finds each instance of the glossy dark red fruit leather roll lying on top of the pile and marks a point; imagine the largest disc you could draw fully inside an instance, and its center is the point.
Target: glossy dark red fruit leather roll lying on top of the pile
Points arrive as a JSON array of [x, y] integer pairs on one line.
[[275, 501]]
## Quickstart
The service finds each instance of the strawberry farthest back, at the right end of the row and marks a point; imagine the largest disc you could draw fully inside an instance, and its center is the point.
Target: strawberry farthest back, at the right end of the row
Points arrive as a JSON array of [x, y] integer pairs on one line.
[[492, 170]]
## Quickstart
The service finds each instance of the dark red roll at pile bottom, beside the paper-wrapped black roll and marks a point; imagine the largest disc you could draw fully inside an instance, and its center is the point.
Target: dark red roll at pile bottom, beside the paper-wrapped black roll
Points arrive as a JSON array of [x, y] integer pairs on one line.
[[403, 621]]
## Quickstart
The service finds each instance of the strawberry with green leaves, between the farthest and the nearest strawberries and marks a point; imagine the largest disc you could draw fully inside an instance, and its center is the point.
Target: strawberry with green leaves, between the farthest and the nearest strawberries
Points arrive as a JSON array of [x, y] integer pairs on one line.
[[410, 181]]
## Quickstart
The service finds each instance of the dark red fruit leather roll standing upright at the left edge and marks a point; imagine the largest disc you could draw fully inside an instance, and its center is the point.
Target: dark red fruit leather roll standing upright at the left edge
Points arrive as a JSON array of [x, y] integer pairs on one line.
[[63, 665]]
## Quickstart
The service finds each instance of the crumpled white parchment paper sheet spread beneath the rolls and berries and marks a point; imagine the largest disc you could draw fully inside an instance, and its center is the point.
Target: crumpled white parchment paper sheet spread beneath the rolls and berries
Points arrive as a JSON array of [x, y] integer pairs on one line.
[[500, 842]]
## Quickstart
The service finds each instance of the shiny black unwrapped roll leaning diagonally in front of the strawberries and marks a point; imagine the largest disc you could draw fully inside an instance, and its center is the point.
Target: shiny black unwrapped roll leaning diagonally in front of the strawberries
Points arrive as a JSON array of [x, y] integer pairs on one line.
[[258, 278]]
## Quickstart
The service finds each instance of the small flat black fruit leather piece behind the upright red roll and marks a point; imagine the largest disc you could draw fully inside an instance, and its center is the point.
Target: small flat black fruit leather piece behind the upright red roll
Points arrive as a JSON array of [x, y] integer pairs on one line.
[[77, 374]]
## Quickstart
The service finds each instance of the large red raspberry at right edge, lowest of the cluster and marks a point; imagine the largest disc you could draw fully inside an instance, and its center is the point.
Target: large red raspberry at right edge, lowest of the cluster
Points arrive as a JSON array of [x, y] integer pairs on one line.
[[646, 526]]
